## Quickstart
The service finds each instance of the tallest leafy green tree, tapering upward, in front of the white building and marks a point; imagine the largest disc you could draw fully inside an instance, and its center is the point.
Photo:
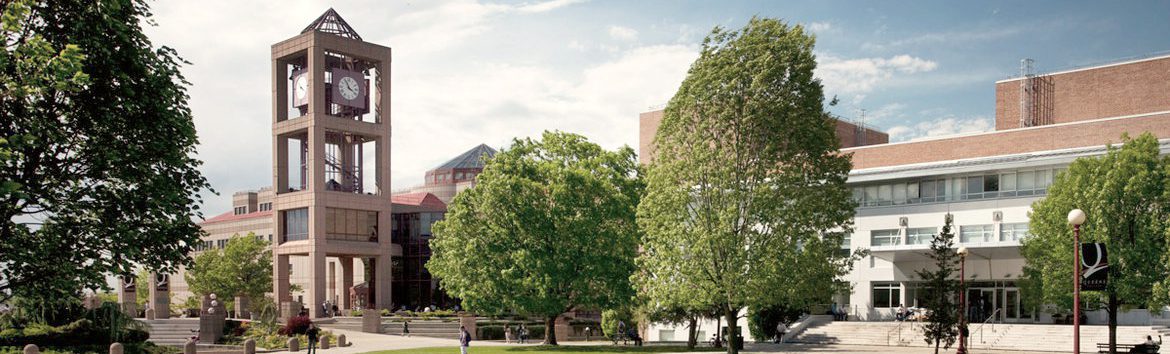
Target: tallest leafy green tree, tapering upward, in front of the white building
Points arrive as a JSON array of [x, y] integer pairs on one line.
[[748, 179]]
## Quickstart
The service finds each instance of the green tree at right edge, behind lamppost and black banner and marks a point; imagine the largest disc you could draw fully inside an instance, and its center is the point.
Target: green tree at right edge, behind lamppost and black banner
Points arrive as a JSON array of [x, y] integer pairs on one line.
[[1126, 195]]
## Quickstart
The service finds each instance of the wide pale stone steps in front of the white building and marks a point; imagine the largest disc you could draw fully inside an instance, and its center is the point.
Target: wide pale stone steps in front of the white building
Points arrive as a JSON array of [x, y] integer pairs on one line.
[[1002, 337]]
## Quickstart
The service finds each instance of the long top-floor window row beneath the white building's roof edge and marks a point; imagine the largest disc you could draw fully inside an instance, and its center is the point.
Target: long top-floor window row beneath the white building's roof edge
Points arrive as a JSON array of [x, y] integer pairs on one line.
[[971, 188]]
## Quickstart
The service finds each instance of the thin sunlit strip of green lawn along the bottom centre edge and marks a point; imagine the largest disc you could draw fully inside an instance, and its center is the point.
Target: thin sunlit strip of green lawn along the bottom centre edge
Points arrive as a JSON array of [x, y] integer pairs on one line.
[[552, 350]]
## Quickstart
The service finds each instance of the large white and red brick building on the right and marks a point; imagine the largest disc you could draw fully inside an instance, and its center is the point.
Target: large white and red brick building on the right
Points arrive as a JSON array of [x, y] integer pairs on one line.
[[987, 181]]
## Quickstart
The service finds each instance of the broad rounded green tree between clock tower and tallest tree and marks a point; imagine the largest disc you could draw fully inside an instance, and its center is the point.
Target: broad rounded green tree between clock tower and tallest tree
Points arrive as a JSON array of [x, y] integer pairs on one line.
[[548, 228]]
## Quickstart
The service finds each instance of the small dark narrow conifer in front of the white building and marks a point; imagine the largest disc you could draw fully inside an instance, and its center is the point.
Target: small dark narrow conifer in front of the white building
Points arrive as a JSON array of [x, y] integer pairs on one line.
[[940, 289]]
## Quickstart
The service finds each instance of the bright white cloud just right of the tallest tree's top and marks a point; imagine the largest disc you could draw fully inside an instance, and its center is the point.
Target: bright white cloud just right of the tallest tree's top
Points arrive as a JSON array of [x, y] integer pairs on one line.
[[859, 77]]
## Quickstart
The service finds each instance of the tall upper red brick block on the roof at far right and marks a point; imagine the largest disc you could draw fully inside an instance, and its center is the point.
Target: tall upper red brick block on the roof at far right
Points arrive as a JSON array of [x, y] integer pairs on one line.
[[1119, 91]]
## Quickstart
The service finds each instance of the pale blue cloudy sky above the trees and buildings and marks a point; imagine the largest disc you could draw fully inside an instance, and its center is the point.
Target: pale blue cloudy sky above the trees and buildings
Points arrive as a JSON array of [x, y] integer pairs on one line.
[[467, 73]]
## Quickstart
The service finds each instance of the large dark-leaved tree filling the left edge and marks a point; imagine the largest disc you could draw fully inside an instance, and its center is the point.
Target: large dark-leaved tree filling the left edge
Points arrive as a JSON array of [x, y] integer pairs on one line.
[[99, 173]]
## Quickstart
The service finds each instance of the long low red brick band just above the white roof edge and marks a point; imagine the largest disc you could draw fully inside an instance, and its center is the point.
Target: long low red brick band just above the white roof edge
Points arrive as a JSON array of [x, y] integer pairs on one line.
[[1013, 142]]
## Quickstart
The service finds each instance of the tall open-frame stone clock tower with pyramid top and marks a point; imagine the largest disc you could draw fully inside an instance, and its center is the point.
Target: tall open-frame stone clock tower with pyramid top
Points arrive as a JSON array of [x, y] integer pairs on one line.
[[332, 165]]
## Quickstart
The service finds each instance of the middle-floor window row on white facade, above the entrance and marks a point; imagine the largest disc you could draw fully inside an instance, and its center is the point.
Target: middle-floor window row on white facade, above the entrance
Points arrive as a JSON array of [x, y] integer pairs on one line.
[[968, 234]]
